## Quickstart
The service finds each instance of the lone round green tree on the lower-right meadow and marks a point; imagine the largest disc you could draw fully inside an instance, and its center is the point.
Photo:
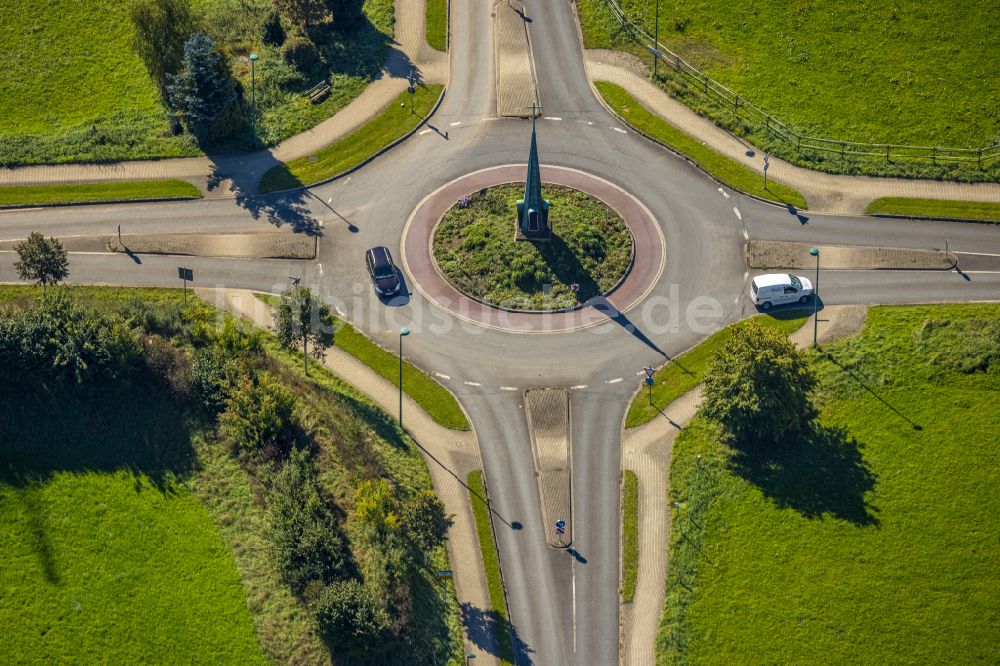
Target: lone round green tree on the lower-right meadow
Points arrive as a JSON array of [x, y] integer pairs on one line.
[[758, 386]]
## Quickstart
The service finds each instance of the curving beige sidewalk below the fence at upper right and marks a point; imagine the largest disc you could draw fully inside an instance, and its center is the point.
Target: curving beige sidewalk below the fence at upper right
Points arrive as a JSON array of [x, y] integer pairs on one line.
[[826, 193]]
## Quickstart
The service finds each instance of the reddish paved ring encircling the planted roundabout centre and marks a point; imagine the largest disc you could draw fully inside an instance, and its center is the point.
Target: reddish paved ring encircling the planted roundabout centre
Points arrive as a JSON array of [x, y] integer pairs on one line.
[[418, 259]]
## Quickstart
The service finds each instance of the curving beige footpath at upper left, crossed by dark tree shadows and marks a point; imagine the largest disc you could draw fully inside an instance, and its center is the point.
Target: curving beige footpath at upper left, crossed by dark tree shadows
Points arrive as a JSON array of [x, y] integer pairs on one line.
[[229, 175]]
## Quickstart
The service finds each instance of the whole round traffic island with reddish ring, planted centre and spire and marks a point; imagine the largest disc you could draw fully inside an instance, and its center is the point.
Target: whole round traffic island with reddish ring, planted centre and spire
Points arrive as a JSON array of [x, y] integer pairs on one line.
[[637, 251]]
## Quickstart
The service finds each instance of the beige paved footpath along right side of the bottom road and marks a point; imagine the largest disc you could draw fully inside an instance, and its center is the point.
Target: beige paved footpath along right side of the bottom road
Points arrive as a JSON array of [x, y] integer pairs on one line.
[[646, 450]]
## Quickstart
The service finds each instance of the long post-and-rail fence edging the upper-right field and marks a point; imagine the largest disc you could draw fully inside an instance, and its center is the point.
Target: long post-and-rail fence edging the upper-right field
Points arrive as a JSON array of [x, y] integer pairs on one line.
[[731, 100]]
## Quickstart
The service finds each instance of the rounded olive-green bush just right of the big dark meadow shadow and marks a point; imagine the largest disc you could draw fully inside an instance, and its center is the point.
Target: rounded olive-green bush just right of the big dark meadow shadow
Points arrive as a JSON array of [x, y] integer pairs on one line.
[[258, 419]]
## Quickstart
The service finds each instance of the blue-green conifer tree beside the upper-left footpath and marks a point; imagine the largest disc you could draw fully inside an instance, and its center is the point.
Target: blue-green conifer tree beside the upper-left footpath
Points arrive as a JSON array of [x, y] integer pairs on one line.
[[204, 91]]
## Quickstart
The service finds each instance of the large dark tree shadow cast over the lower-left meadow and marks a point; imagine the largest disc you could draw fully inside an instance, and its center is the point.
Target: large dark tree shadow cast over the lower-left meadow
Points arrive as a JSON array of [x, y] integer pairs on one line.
[[132, 426]]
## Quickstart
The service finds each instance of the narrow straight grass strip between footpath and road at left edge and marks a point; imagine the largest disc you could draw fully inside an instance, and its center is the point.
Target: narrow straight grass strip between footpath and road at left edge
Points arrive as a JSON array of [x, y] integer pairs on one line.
[[38, 195]]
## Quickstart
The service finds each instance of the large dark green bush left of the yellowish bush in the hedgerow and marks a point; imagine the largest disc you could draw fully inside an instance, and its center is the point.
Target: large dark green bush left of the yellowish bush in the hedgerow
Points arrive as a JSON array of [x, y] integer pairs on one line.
[[305, 538]]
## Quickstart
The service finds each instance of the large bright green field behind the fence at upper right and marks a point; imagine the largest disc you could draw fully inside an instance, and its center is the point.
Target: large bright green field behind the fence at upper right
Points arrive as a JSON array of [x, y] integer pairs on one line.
[[907, 72]]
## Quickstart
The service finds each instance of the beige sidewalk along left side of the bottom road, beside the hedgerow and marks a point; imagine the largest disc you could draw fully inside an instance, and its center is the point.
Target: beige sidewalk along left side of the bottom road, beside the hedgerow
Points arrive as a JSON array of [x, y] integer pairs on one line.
[[450, 456]]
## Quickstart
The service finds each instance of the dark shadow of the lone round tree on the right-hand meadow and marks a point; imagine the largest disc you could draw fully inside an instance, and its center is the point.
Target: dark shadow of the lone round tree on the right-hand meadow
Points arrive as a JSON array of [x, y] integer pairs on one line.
[[819, 472]]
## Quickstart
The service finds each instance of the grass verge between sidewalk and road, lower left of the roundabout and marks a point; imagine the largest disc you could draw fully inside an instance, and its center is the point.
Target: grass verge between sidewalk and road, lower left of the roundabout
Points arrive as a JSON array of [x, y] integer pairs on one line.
[[435, 399]]
